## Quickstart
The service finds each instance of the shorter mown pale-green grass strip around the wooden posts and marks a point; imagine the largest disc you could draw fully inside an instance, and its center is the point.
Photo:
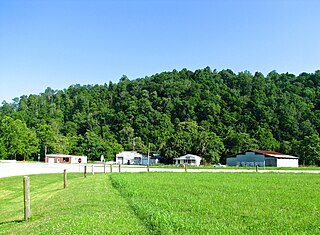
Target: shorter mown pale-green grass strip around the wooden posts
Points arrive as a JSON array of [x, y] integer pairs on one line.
[[87, 206]]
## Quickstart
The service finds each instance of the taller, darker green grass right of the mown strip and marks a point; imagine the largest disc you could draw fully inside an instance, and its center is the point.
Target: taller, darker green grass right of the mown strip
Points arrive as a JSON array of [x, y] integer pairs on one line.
[[224, 203]]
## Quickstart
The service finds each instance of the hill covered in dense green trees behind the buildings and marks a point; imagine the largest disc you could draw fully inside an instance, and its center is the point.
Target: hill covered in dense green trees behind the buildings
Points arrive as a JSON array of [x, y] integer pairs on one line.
[[208, 113]]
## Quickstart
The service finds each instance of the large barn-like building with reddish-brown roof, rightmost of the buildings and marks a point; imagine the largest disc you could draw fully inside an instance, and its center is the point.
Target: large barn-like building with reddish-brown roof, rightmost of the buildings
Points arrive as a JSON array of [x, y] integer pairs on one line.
[[262, 158]]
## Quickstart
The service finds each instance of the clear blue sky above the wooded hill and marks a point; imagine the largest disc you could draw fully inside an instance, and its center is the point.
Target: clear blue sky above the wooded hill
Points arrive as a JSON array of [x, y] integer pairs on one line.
[[57, 43]]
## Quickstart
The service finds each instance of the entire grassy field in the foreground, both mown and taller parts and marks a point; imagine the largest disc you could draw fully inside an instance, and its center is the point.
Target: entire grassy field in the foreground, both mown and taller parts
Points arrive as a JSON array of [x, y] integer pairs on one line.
[[164, 203]]
